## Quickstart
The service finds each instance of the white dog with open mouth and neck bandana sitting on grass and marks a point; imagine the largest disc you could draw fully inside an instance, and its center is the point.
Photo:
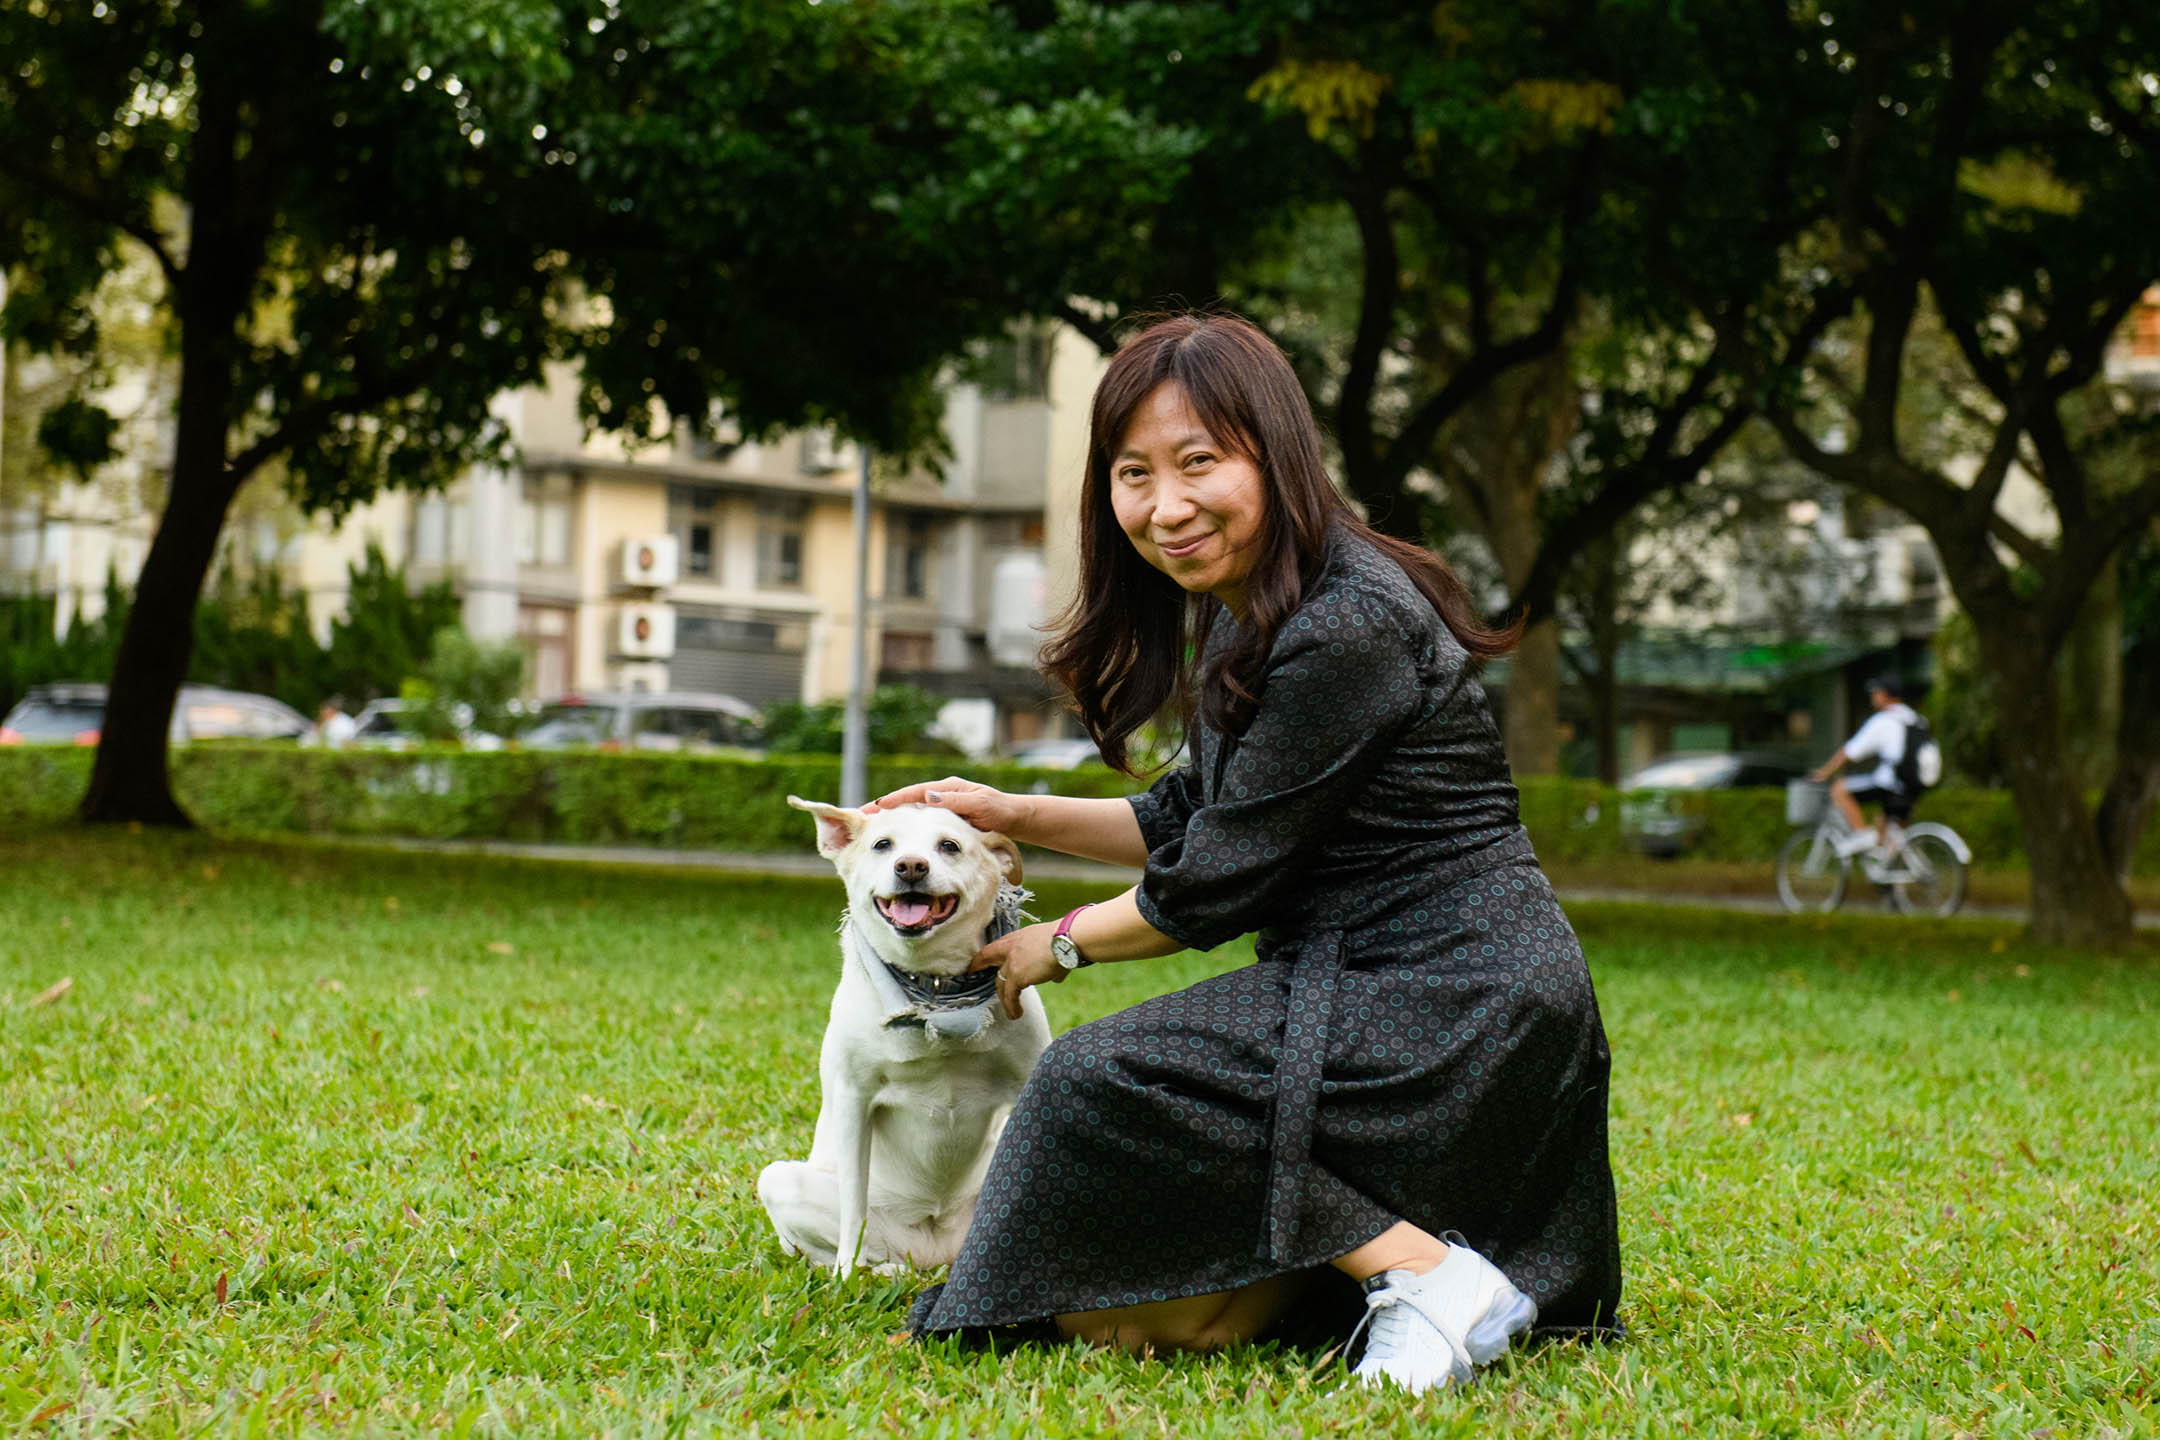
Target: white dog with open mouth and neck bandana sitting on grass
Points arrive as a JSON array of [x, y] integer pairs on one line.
[[921, 1063]]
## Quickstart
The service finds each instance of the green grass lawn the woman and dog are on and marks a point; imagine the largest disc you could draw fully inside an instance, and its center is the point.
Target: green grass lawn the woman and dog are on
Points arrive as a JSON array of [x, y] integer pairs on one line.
[[405, 1143]]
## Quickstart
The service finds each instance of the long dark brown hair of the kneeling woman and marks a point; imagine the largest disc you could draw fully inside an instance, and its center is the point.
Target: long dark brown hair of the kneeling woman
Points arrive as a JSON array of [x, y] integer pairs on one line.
[[1131, 642]]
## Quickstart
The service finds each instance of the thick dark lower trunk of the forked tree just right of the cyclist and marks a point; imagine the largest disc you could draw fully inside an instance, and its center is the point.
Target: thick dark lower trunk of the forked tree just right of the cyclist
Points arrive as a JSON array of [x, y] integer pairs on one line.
[[2077, 899]]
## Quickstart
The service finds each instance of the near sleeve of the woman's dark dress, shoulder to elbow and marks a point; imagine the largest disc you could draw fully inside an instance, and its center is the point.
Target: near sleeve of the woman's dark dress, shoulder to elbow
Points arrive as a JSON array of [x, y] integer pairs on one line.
[[1340, 685]]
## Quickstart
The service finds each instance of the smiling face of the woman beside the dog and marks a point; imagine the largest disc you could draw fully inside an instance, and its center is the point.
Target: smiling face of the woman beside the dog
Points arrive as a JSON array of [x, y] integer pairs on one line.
[[1191, 508]]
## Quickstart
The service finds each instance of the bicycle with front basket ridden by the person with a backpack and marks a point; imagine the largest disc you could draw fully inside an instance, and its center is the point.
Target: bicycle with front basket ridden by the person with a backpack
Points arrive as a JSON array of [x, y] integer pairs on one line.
[[1923, 867]]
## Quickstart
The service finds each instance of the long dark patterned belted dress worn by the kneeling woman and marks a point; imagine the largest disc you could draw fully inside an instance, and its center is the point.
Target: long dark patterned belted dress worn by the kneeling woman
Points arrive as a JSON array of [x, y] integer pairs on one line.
[[1416, 1042]]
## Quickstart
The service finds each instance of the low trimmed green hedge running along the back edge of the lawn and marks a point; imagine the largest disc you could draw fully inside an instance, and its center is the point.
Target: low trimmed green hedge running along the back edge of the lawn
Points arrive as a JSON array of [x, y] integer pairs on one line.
[[733, 804]]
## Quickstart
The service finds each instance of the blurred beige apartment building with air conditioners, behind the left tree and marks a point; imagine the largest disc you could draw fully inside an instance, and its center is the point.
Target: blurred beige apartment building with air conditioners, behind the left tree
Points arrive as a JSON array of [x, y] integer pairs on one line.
[[699, 565]]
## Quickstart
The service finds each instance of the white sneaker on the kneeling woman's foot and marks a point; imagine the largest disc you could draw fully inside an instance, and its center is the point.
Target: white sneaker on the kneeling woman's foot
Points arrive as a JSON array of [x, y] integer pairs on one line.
[[1431, 1331]]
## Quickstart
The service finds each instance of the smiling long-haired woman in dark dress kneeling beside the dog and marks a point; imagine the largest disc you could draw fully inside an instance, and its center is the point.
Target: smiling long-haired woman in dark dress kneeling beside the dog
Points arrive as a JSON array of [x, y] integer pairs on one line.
[[1409, 1085]]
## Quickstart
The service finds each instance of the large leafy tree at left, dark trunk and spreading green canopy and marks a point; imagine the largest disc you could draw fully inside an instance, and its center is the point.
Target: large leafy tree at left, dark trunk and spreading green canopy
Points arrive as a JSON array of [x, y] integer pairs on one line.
[[377, 215]]
